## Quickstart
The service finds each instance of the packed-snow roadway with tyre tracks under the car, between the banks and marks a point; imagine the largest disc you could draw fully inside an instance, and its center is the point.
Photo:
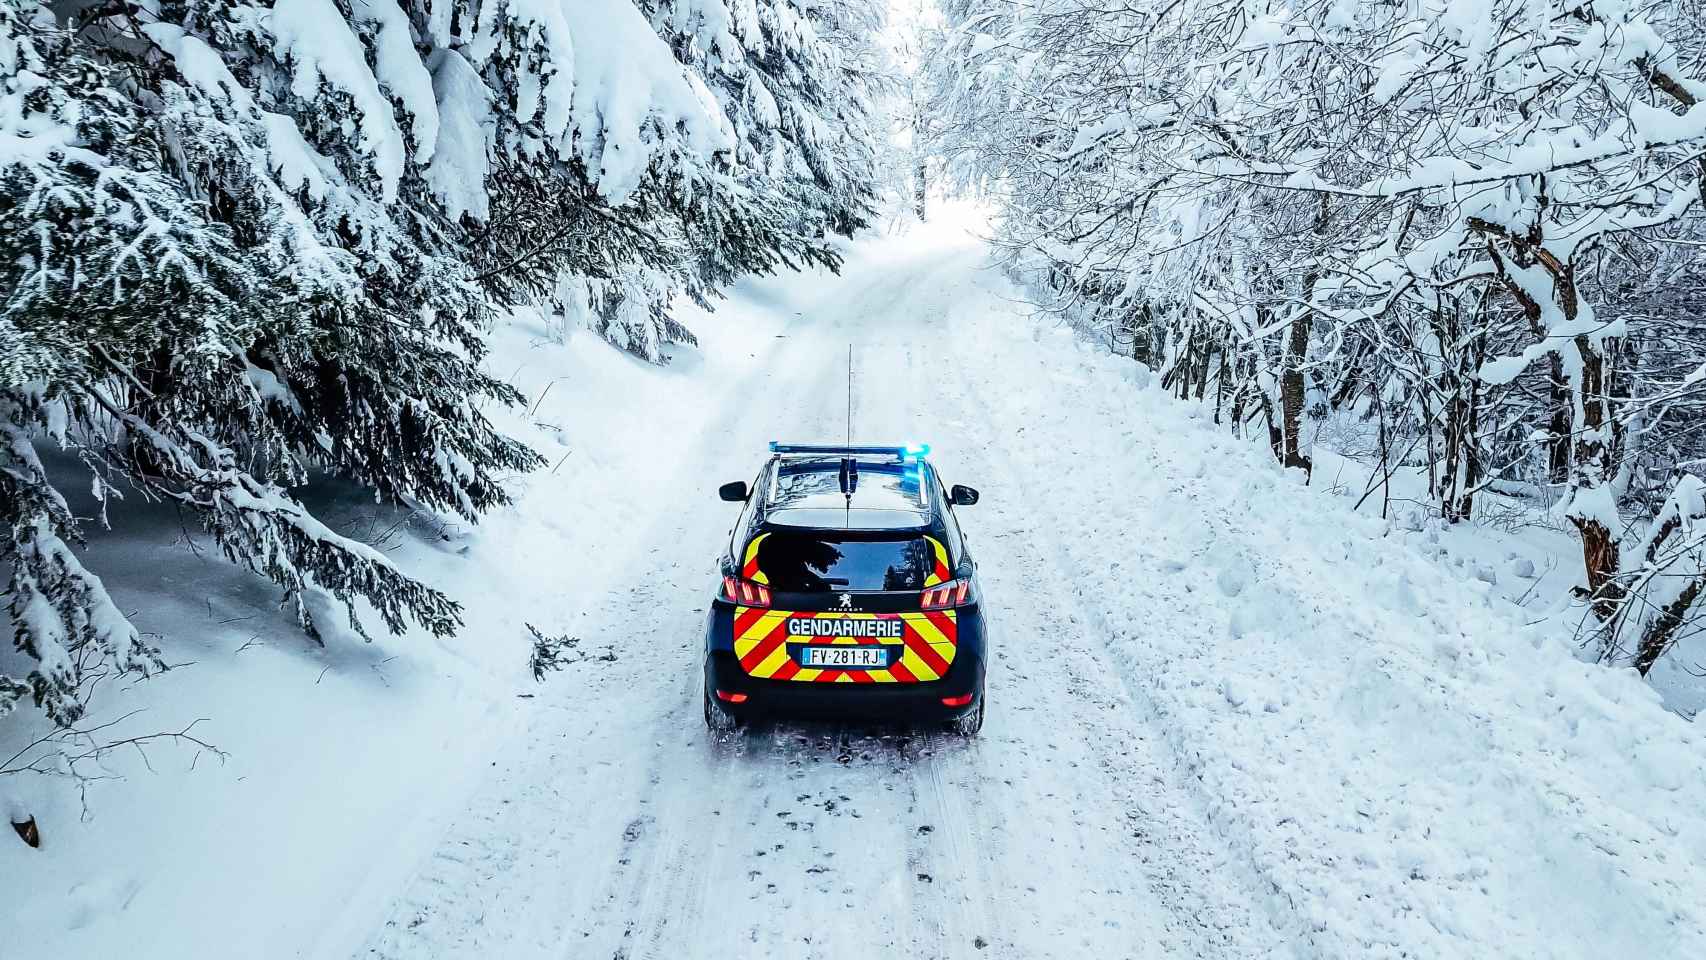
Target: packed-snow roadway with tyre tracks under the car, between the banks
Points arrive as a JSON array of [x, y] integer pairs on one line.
[[618, 828]]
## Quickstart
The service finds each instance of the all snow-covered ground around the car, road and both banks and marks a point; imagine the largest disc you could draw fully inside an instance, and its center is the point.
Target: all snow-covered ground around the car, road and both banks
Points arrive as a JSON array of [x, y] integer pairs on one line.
[[1227, 717]]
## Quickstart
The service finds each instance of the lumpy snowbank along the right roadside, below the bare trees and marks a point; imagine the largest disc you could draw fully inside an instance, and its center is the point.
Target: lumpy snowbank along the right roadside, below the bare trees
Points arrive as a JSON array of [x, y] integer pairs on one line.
[[1412, 766]]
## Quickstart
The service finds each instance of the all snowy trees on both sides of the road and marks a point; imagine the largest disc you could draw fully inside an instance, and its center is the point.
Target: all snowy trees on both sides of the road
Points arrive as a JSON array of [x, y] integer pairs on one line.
[[255, 245]]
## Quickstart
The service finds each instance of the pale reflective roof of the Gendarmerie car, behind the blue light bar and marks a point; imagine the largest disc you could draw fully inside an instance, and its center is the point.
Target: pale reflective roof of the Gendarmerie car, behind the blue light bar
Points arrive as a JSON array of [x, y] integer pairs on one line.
[[886, 494]]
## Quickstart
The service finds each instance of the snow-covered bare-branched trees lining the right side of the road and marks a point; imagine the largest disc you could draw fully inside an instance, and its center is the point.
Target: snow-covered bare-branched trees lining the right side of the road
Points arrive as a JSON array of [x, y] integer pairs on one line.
[[1473, 228]]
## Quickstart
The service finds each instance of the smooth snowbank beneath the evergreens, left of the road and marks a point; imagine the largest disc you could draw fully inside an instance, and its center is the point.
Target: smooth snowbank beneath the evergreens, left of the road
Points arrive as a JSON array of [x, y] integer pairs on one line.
[[340, 761]]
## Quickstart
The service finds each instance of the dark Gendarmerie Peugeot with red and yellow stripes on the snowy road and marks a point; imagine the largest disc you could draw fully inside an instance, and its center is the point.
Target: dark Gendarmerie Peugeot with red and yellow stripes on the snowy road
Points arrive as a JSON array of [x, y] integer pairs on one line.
[[847, 591]]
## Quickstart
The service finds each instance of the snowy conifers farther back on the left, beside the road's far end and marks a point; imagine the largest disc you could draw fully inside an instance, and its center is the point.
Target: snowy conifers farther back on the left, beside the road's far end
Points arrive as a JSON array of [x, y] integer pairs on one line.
[[796, 84]]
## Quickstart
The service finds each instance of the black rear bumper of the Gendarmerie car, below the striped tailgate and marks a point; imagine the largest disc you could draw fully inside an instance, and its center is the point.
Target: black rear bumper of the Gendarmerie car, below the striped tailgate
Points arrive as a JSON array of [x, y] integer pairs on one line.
[[874, 702]]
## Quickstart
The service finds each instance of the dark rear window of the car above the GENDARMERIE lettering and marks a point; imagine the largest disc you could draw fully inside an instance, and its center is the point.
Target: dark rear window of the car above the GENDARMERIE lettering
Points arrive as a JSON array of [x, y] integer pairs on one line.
[[816, 564]]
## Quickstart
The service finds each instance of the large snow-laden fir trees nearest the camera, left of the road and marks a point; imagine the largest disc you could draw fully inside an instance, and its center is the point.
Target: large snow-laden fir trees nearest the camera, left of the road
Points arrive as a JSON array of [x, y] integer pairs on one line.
[[248, 243]]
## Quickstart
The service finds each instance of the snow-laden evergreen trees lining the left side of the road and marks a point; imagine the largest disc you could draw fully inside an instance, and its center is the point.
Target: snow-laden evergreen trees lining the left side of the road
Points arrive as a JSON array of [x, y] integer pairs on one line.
[[250, 245]]
